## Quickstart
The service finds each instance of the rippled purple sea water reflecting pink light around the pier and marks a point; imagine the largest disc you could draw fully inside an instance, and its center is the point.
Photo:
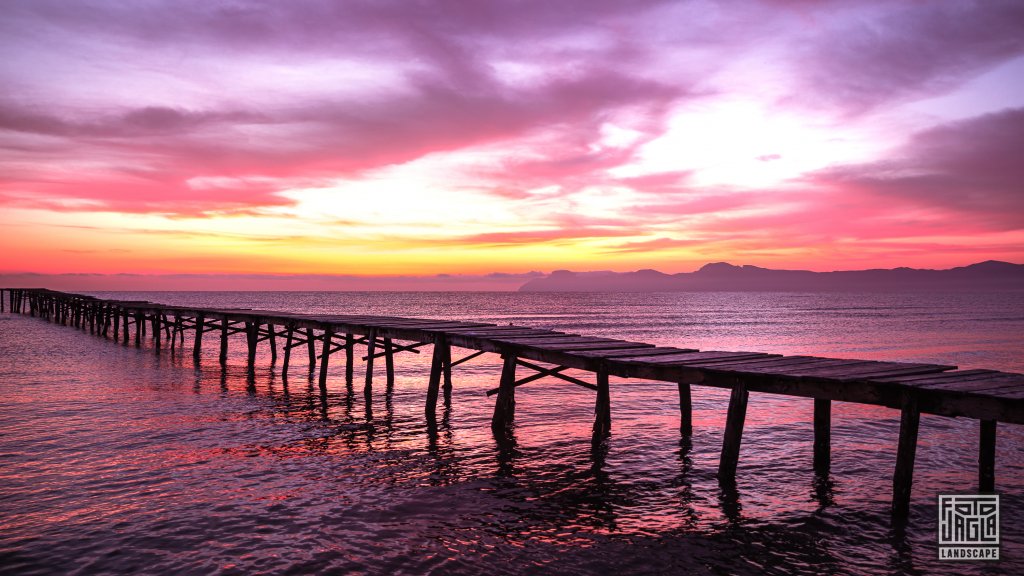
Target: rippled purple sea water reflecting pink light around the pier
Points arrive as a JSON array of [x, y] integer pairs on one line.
[[119, 461]]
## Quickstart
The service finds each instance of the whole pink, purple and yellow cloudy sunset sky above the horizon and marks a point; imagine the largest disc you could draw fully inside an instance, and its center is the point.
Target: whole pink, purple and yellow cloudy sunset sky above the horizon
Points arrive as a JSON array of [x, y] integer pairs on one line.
[[497, 140]]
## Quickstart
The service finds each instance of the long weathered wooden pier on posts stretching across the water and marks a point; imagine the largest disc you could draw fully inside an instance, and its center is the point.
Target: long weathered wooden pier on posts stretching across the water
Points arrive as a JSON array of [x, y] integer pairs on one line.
[[988, 396]]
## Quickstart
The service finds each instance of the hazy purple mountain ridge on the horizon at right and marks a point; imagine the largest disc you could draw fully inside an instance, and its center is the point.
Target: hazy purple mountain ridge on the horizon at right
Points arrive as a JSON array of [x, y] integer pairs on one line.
[[986, 276]]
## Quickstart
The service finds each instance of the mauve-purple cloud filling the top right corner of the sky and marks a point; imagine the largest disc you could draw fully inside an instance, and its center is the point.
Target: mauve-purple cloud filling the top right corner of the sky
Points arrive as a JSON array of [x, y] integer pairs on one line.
[[912, 50]]
